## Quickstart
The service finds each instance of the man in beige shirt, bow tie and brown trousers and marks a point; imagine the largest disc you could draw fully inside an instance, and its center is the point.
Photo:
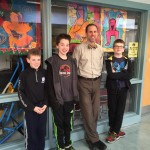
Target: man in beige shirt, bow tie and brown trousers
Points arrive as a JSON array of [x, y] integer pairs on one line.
[[89, 57]]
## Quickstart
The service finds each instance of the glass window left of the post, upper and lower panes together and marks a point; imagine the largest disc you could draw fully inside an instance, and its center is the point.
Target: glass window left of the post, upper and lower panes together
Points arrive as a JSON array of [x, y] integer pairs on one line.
[[20, 30]]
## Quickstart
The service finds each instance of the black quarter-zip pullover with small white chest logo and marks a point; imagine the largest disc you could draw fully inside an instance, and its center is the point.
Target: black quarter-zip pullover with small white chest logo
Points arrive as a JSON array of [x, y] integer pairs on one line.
[[31, 88]]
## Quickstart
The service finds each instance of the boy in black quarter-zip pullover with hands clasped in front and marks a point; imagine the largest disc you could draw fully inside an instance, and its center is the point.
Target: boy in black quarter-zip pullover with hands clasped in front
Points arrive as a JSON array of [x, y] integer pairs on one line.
[[33, 100]]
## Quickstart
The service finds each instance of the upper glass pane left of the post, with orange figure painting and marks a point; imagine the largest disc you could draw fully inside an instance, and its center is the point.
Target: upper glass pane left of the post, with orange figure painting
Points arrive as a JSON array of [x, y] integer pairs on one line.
[[20, 30]]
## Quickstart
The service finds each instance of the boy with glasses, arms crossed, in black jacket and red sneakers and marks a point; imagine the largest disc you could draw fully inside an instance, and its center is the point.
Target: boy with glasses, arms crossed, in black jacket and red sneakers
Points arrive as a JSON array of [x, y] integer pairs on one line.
[[118, 82]]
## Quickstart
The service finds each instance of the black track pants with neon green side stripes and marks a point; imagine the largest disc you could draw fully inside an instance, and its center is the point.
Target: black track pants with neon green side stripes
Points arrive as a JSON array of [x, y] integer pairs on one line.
[[63, 124]]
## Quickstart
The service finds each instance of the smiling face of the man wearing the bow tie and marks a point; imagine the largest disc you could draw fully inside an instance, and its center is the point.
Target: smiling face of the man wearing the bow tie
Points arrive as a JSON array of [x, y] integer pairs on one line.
[[92, 34]]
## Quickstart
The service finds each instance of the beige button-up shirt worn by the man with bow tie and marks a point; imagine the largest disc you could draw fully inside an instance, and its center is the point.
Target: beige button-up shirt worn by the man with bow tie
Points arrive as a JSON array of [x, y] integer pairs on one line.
[[89, 61]]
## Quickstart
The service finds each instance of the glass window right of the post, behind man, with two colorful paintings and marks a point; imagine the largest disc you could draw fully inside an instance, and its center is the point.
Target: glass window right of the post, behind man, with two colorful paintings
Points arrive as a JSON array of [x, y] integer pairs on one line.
[[71, 18]]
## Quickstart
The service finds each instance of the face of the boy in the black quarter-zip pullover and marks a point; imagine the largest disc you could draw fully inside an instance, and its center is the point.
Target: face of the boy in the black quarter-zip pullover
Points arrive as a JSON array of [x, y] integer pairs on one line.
[[34, 61]]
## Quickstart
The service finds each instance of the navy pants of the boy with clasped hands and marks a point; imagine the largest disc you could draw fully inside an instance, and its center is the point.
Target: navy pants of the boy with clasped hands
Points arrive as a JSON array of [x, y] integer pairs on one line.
[[35, 130]]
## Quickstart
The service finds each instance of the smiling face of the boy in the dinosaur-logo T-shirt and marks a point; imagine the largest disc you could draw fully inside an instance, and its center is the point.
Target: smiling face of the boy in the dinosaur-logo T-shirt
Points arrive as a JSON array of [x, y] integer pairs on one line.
[[63, 47]]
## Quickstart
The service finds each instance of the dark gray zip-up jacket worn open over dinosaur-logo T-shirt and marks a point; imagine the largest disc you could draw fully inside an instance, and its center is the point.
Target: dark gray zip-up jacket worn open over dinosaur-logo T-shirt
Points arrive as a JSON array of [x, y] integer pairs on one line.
[[53, 85]]
